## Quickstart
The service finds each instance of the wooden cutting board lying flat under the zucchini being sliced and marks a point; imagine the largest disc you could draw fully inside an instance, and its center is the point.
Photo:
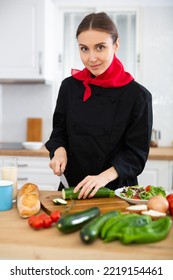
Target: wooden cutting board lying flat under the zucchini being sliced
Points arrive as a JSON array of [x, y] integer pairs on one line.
[[105, 204]]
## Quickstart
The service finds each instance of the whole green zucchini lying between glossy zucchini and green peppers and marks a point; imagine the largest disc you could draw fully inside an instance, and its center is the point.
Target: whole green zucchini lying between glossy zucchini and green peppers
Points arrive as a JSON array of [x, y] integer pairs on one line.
[[91, 230]]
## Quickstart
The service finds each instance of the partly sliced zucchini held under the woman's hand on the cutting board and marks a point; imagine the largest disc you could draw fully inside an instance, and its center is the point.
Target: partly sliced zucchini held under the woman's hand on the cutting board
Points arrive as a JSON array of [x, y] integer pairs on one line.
[[102, 192]]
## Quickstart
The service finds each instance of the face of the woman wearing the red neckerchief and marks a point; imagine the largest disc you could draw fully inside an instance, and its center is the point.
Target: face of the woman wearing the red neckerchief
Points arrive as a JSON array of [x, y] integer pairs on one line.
[[96, 50]]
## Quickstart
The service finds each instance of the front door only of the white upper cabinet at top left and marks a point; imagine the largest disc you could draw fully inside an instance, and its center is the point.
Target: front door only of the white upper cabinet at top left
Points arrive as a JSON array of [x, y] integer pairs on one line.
[[20, 47]]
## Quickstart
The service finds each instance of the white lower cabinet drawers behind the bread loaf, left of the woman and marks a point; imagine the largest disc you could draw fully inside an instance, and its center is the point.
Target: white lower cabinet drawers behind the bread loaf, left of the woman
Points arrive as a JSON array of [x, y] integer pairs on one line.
[[36, 170]]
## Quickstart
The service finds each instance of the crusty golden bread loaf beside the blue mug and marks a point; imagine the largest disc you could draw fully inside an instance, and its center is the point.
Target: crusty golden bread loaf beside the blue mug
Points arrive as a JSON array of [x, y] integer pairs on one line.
[[28, 202]]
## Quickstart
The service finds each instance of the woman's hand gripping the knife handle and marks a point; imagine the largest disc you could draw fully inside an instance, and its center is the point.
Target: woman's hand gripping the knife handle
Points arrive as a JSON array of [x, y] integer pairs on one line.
[[59, 161]]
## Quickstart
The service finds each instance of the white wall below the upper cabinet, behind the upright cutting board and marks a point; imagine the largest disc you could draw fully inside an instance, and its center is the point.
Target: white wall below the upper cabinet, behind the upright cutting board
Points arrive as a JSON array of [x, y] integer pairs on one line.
[[20, 102]]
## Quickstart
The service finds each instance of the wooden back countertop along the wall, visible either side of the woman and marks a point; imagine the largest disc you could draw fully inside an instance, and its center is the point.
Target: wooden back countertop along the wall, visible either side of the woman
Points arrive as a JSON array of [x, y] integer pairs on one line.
[[159, 153]]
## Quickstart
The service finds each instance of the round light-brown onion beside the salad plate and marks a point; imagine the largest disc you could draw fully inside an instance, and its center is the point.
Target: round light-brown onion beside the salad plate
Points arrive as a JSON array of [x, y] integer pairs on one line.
[[158, 203]]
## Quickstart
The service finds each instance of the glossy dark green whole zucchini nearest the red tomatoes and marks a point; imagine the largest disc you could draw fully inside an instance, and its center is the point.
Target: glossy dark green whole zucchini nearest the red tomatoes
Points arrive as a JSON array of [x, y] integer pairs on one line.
[[73, 222]]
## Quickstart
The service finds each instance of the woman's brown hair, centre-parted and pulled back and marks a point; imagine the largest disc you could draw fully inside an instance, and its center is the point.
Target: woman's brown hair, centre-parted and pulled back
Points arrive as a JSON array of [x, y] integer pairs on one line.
[[98, 21]]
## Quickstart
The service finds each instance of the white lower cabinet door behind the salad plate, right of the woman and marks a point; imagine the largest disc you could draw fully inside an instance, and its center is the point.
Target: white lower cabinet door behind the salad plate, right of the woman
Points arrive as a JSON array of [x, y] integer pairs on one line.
[[156, 173]]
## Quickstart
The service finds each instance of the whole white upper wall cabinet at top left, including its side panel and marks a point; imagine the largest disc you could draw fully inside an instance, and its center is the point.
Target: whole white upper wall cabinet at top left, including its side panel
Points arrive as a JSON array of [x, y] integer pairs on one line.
[[26, 34]]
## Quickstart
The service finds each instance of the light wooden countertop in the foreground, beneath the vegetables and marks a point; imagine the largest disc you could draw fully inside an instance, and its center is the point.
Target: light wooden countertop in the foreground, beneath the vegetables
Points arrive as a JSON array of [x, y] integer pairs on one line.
[[19, 241]]
